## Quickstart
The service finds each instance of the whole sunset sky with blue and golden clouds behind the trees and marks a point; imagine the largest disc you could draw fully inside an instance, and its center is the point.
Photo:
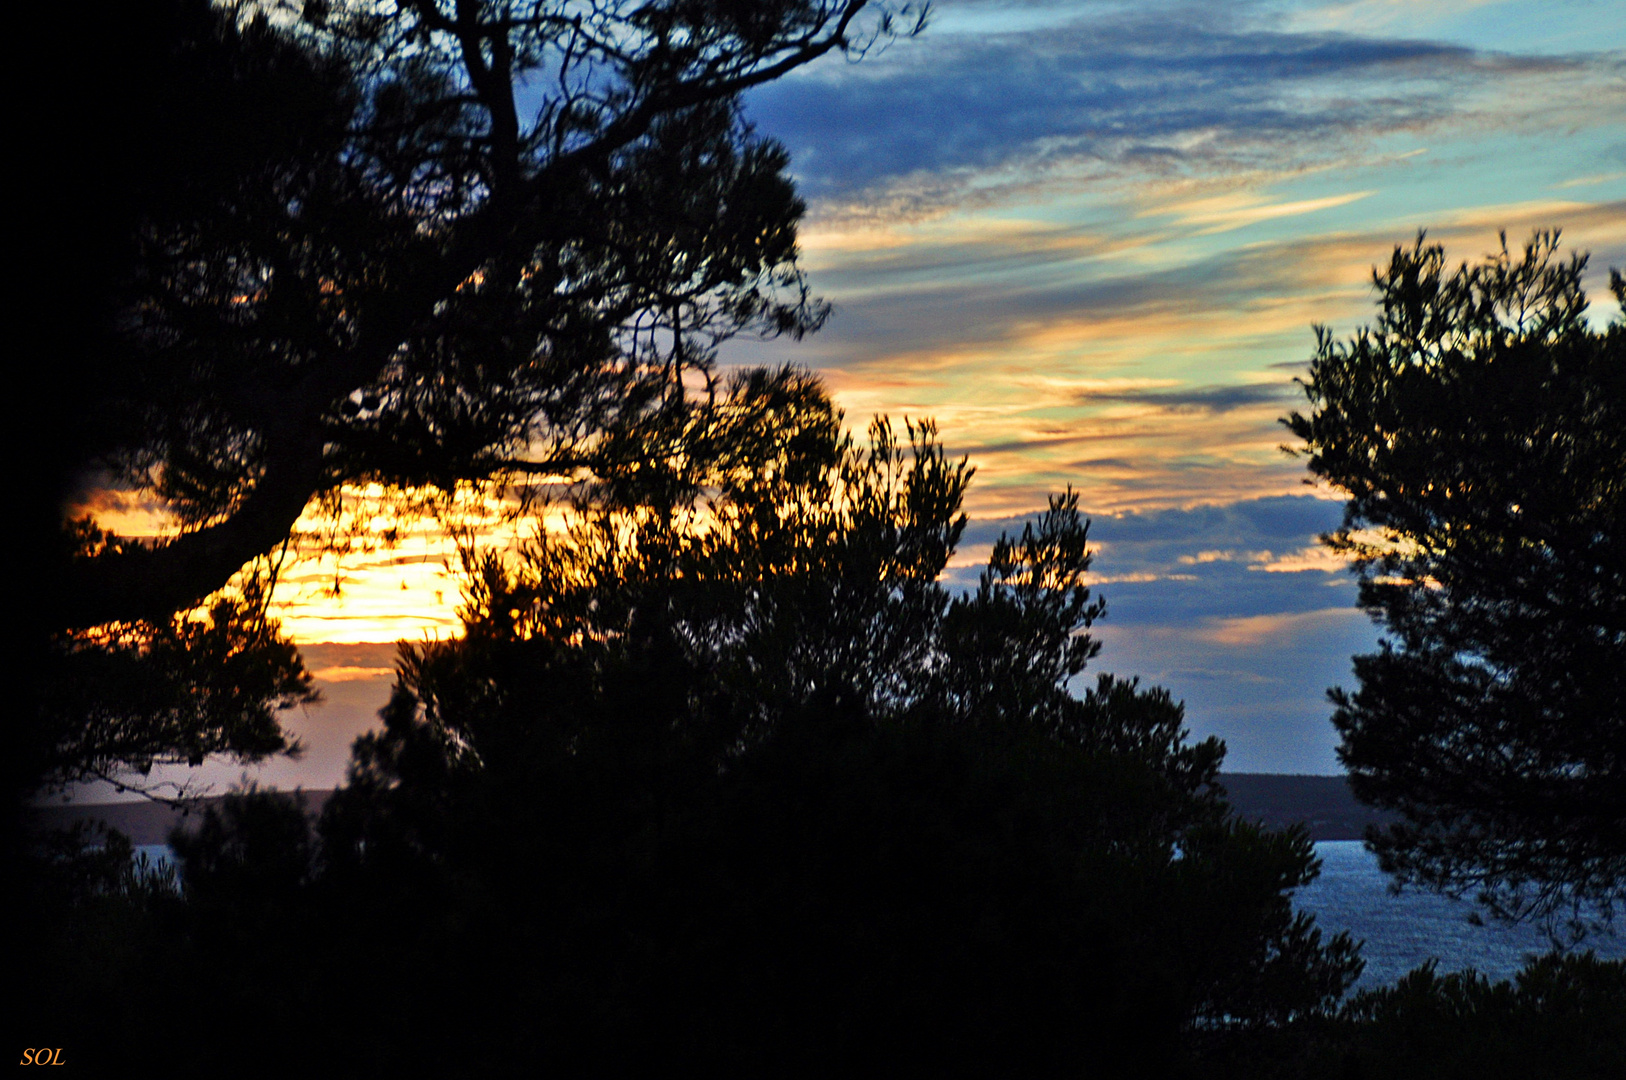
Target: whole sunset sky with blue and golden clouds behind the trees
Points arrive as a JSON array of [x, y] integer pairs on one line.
[[1092, 242]]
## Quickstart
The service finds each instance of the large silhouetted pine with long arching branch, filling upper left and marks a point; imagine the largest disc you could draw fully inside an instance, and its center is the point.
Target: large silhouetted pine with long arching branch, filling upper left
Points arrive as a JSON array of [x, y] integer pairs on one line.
[[420, 245]]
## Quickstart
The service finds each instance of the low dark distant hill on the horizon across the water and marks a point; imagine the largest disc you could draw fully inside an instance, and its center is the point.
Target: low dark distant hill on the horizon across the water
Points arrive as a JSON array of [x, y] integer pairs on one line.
[[1324, 804]]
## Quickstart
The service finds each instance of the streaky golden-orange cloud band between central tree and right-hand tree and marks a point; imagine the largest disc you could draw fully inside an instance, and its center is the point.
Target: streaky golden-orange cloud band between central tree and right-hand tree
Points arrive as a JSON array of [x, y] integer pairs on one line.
[[1146, 372]]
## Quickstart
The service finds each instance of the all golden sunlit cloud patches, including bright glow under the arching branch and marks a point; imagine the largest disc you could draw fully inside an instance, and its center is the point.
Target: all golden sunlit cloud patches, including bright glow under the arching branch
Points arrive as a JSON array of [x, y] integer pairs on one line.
[[1168, 401]]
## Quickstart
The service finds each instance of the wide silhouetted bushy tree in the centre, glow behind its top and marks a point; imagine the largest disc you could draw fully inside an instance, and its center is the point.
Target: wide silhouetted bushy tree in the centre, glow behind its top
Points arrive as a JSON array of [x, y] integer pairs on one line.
[[729, 778]]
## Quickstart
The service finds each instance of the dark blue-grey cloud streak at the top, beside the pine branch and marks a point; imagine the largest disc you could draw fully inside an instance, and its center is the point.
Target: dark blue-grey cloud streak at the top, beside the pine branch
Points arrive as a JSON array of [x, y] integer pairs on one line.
[[1159, 85]]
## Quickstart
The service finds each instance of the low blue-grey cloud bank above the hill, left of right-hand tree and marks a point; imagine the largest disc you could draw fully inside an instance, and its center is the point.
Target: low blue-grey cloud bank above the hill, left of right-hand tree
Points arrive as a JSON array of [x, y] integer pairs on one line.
[[1250, 653]]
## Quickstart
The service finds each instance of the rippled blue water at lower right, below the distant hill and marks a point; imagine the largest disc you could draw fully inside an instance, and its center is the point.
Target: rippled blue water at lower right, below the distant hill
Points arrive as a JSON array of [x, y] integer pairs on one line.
[[1404, 931]]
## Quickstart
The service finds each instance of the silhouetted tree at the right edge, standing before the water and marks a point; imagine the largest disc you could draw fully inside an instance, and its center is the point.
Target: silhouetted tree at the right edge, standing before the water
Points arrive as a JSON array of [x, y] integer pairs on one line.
[[1480, 433]]
